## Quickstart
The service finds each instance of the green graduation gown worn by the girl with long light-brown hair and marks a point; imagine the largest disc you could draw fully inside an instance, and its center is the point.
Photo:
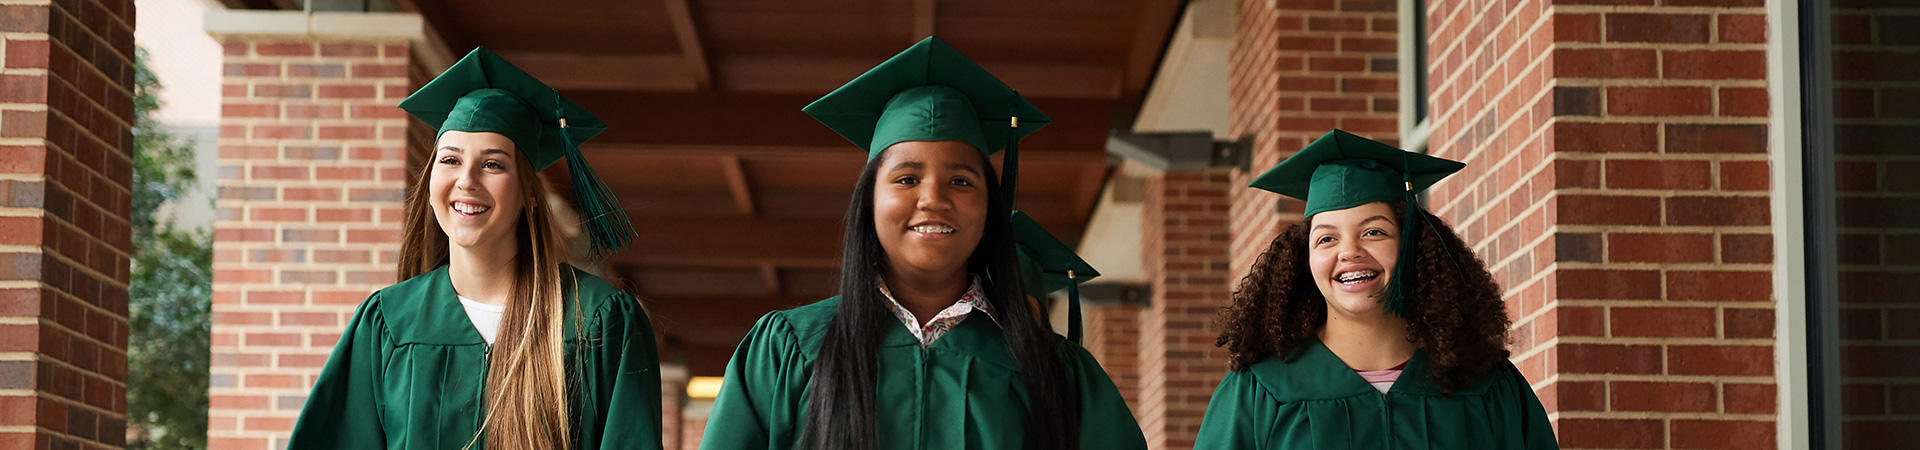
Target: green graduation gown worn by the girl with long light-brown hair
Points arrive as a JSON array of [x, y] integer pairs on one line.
[[410, 372]]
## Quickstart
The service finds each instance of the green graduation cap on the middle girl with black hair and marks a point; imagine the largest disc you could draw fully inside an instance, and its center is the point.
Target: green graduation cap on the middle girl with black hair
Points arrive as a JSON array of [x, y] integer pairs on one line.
[[930, 93]]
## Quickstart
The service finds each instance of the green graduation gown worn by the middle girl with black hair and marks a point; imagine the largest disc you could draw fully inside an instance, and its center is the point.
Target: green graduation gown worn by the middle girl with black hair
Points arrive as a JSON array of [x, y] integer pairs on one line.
[[963, 391]]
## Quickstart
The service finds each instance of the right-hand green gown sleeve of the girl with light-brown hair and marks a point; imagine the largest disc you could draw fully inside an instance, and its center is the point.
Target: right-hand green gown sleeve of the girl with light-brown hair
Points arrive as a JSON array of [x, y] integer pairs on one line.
[[623, 378]]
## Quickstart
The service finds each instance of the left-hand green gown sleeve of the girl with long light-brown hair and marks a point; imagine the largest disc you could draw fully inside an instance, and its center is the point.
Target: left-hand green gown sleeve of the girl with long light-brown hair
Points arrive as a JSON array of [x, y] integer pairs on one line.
[[345, 407]]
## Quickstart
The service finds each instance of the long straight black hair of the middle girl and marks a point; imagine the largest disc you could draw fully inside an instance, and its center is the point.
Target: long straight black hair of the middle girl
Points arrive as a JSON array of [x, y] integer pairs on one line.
[[842, 409]]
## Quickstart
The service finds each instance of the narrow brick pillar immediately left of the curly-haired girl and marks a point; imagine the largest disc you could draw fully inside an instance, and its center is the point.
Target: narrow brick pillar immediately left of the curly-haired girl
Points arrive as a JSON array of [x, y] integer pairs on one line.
[[1186, 257]]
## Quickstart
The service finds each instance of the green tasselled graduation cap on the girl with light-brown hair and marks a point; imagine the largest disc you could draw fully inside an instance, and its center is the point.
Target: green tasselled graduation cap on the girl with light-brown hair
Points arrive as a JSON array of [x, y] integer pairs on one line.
[[485, 93]]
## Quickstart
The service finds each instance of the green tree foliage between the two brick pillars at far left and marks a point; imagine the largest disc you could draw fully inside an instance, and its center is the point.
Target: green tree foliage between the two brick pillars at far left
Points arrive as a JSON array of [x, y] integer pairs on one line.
[[170, 293]]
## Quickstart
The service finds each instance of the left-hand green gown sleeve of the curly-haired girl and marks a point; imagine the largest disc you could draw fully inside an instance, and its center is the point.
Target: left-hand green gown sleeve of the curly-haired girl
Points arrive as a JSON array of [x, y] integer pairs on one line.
[[1234, 416]]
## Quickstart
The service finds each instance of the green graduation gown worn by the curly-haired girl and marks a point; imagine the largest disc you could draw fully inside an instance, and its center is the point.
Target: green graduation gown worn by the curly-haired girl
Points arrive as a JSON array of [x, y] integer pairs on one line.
[[1320, 403]]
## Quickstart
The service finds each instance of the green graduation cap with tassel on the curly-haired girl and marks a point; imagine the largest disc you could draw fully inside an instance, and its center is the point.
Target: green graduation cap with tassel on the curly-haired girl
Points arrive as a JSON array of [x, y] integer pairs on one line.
[[1343, 170]]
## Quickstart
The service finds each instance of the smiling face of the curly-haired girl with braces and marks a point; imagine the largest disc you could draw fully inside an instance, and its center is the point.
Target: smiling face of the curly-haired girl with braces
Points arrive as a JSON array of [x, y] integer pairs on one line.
[[1353, 257]]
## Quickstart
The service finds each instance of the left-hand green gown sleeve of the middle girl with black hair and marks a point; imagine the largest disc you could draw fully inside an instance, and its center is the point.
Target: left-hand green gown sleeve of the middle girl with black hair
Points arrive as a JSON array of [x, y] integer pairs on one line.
[[763, 391]]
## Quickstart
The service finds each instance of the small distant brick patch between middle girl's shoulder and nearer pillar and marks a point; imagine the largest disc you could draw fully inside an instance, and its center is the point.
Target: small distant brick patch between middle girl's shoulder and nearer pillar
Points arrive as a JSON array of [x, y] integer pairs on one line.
[[1113, 337]]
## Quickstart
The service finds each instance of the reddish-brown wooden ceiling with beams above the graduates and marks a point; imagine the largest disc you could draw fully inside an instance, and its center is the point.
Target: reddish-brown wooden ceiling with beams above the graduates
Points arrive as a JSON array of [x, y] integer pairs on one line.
[[738, 197]]
